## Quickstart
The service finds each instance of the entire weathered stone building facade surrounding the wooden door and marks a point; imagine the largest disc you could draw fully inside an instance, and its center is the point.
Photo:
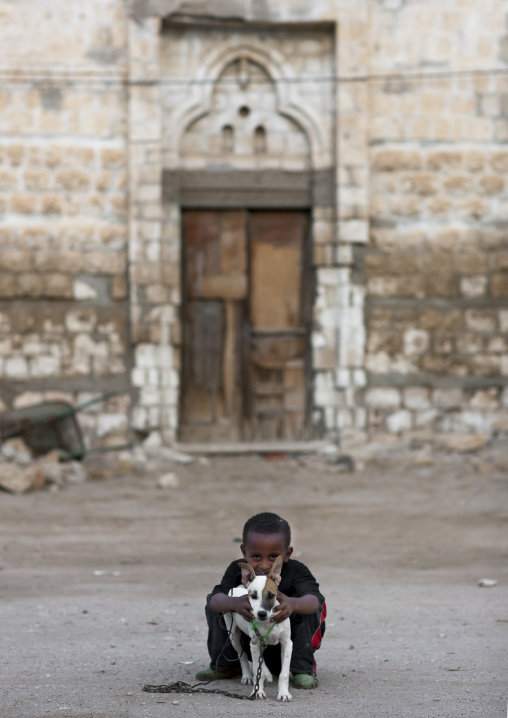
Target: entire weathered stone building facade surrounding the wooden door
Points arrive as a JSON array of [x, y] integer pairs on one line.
[[409, 111]]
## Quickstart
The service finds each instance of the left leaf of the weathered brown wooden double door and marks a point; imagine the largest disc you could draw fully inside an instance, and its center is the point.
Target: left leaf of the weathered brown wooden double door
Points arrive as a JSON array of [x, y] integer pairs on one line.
[[215, 292]]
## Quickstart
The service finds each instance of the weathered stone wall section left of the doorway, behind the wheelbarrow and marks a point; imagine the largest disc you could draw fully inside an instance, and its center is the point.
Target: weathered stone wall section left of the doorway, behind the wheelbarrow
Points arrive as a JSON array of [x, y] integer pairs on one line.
[[63, 230]]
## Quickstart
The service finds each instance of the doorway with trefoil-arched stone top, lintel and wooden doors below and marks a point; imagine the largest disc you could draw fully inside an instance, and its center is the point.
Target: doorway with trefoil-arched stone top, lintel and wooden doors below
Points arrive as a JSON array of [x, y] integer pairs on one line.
[[247, 279]]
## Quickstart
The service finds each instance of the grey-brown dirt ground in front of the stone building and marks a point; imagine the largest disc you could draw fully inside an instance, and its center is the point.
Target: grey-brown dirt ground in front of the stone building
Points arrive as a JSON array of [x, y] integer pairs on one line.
[[398, 547]]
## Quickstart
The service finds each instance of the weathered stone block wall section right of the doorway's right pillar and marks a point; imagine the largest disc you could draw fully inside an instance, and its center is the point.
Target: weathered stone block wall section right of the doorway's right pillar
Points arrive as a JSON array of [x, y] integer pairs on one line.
[[436, 267]]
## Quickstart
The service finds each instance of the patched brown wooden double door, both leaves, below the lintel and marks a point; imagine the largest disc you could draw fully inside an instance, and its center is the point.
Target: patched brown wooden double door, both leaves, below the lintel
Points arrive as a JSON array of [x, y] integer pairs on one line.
[[246, 324]]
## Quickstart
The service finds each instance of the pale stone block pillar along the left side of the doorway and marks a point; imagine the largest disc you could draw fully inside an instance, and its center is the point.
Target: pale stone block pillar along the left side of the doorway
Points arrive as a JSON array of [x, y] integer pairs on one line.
[[153, 282]]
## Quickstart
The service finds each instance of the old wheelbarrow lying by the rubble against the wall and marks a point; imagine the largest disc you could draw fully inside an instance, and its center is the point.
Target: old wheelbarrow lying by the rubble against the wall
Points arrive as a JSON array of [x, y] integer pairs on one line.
[[51, 425]]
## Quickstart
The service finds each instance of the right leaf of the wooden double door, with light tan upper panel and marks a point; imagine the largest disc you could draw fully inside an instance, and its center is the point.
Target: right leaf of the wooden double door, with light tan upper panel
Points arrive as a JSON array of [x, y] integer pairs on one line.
[[279, 350]]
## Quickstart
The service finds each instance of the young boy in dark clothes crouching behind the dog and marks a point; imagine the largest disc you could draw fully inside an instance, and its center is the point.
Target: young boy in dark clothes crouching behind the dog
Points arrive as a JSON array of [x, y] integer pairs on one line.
[[265, 537]]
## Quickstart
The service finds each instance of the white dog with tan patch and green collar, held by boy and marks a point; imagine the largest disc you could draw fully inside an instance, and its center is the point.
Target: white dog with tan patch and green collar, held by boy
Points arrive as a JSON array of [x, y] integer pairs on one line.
[[262, 591]]
